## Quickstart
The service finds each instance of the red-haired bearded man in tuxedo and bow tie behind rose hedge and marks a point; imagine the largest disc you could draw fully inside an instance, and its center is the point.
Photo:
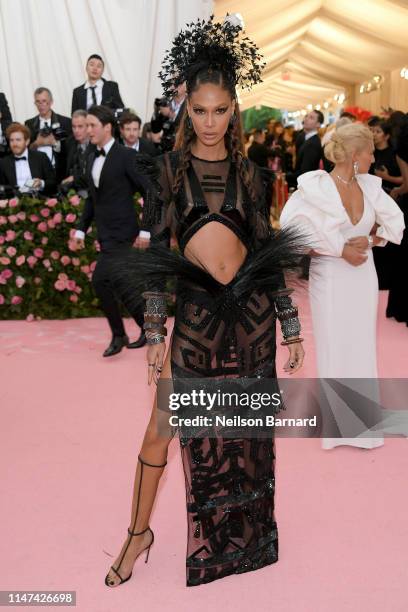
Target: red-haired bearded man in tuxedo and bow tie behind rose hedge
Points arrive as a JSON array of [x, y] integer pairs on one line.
[[24, 166]]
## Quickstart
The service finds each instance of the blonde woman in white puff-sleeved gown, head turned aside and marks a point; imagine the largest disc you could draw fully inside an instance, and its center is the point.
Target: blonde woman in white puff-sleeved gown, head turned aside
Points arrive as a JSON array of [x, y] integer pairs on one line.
[[345, 213]]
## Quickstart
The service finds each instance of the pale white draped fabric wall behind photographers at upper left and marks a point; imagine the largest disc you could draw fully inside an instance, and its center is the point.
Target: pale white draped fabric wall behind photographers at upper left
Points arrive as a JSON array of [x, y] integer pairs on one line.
[[46, 43]]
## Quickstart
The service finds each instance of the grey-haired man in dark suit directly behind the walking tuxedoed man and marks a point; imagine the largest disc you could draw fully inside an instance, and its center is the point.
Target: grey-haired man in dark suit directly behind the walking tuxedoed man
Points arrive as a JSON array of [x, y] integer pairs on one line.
[[78, 150]]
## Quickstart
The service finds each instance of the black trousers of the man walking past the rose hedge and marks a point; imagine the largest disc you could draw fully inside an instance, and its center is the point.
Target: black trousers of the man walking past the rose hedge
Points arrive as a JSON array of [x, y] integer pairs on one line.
[[109, 293]]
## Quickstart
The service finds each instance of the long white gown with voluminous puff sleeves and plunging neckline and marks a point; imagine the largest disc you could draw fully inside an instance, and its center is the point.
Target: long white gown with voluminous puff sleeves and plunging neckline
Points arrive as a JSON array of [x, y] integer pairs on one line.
[[343, 297]]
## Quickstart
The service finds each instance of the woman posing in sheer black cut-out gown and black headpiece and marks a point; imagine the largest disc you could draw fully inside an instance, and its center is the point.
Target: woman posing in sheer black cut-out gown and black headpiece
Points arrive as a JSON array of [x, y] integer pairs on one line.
[[230, 290]]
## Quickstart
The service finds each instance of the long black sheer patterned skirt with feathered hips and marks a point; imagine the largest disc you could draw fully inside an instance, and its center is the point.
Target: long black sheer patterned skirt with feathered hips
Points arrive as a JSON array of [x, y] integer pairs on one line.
[[224, 331]]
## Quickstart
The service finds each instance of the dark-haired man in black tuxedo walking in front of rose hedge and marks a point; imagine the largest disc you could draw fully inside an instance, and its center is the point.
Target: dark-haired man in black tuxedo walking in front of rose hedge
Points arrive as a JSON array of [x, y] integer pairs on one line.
[[113, 181]]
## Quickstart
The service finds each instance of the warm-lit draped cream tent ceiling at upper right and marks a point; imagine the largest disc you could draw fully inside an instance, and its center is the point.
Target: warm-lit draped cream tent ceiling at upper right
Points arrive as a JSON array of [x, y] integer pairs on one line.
[[315, 49]]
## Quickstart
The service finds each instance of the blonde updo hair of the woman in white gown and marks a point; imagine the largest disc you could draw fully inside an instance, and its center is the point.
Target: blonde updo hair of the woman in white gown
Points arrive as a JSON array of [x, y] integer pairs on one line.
[[346, 140]]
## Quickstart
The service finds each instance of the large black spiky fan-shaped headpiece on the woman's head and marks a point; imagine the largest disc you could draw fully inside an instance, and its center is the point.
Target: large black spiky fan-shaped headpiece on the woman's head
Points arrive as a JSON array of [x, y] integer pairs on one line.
[[215, 46]]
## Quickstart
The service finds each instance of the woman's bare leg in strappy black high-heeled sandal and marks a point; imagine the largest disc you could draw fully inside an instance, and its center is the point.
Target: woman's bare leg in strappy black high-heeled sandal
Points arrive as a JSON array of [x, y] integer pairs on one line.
[[150, 466]]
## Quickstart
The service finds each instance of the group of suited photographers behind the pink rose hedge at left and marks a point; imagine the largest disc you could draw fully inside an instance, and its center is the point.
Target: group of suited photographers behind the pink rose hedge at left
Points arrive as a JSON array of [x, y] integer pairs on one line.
[[47, 153]]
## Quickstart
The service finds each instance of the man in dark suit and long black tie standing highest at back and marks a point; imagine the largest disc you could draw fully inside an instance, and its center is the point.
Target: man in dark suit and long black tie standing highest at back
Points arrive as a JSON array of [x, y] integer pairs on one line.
[[96, 90]]
